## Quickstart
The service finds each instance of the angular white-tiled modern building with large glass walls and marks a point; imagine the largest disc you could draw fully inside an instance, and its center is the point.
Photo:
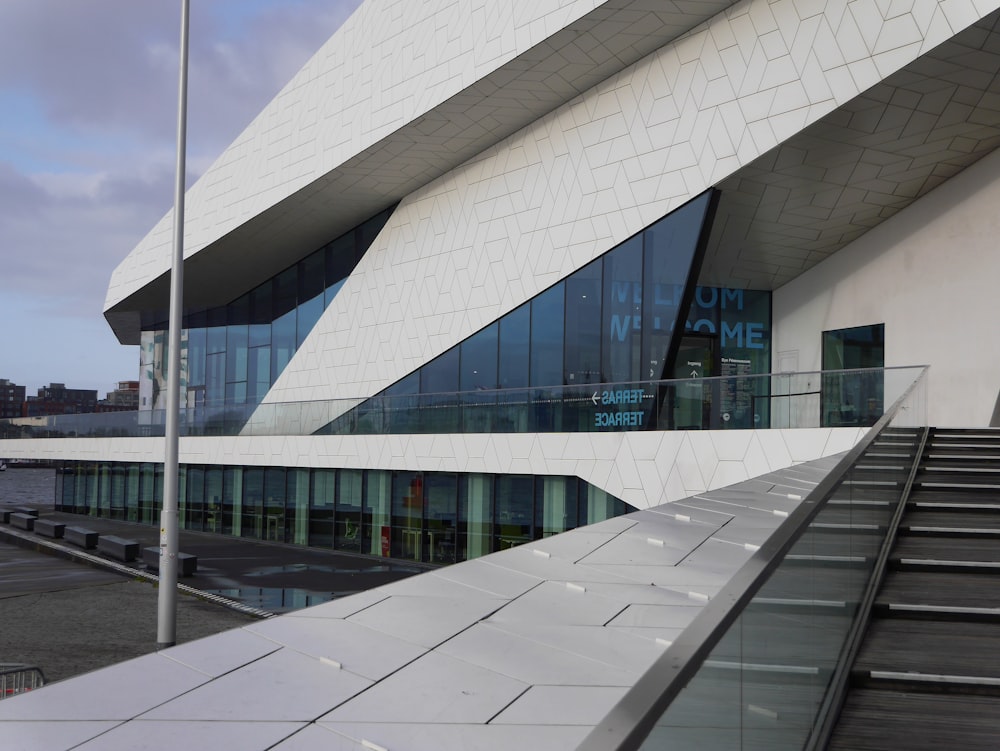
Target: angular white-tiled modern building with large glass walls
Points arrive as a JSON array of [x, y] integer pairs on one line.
[[440, 292]]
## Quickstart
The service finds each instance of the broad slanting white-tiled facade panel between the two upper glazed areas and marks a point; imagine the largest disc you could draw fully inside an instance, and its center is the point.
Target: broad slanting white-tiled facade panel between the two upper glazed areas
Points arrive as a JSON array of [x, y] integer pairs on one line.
[[498, 230]]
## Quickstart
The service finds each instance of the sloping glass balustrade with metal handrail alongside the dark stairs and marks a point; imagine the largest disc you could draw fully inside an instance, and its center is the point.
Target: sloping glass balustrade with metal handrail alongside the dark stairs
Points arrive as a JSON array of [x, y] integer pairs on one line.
[[761, 665]]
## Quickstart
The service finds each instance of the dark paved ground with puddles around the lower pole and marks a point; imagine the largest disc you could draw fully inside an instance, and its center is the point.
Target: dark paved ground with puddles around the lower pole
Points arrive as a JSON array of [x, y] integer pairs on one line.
[[69, 616]]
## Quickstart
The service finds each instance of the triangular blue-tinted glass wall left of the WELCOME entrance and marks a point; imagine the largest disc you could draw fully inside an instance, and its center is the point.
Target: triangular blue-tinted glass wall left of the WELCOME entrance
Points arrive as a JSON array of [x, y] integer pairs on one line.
[[609, 322]]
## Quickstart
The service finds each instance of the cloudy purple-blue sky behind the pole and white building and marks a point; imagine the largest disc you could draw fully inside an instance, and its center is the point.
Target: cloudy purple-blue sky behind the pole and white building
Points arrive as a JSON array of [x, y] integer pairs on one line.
[[88, 129]]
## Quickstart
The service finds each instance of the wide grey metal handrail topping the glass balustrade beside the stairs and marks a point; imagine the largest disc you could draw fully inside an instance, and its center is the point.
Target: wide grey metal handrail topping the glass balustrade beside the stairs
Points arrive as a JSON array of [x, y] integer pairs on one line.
[[629, 722]]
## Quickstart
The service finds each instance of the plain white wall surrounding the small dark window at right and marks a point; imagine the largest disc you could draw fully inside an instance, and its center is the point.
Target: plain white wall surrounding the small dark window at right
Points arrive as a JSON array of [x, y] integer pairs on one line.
[[930, 274]]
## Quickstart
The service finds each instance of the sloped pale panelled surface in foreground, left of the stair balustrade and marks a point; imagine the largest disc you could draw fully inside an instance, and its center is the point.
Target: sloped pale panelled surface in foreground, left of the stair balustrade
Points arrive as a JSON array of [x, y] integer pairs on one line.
[[528, 647]]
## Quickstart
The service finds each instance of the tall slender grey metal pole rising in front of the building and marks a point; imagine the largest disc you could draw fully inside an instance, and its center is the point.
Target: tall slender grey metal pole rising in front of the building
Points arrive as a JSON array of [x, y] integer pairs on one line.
[[166, 624]]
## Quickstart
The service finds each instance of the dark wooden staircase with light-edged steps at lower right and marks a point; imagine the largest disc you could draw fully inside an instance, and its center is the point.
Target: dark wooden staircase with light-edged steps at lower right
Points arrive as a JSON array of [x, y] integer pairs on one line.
[[928, 672]]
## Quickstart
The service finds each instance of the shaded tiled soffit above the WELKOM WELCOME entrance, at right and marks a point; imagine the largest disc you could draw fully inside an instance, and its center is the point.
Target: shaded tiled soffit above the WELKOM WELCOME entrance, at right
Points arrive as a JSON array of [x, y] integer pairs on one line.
[[806, 199]]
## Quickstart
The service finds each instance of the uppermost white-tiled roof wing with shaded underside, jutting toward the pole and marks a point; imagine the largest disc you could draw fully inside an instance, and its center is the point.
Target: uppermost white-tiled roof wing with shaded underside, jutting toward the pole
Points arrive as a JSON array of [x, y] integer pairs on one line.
[[361, 138]]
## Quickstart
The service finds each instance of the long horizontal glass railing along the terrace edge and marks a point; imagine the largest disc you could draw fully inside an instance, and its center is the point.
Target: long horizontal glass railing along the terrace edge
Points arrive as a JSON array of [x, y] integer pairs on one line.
[[777, 400]]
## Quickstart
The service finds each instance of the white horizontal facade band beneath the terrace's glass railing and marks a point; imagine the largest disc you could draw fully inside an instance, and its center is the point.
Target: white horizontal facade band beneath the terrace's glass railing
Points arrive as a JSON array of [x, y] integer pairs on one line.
[[644, 469]]
